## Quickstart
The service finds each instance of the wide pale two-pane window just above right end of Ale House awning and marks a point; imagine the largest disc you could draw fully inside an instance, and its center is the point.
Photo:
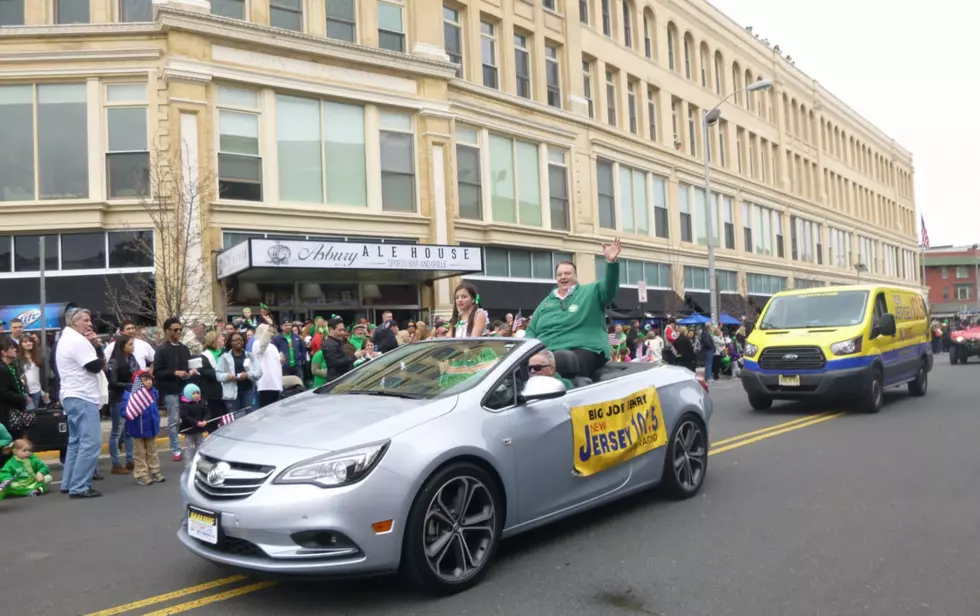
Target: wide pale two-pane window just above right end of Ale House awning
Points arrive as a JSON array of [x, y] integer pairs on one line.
[[516, 188]]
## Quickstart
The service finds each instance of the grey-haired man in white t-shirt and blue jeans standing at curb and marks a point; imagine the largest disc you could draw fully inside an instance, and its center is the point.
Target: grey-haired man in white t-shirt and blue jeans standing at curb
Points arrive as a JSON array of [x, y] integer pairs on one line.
[[80, 359]]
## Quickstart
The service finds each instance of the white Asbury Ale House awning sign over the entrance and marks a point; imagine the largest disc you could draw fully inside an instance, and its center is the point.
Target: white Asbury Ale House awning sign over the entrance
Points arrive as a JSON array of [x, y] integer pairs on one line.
[[256, 259]]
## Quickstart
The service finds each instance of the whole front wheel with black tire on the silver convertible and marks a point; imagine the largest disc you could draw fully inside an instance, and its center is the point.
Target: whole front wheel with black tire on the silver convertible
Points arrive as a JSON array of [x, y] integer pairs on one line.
[[453, 530]]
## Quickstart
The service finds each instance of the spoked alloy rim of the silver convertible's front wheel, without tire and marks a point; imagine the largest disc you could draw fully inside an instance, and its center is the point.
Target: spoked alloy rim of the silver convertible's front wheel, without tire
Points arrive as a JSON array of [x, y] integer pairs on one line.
[[459, 529]]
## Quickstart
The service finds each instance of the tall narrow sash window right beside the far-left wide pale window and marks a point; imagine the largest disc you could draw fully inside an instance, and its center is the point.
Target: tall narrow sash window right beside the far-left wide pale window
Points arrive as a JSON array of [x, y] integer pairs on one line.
[[127, 156]]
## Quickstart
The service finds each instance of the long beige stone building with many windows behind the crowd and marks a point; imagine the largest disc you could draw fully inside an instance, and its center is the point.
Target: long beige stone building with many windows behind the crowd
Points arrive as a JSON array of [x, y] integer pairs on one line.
[[502, 135]]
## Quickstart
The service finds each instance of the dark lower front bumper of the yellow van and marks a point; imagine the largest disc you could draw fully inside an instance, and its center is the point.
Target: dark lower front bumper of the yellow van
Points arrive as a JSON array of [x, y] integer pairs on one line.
[[834, 384]]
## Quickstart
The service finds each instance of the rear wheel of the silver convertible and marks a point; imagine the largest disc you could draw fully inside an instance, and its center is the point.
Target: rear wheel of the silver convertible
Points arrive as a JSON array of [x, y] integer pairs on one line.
[[686, 461]]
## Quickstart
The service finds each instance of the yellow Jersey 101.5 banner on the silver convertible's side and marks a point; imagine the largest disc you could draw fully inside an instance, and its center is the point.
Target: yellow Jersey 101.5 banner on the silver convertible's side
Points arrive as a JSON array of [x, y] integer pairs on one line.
[[609, 433]]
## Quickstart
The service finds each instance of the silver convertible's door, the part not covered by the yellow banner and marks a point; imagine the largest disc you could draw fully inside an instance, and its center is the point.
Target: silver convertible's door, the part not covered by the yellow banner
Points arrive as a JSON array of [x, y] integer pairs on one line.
[[543, 449]]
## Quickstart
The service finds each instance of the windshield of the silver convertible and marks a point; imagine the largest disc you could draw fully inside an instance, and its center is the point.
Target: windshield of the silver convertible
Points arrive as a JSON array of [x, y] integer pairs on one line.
[[425, 370]]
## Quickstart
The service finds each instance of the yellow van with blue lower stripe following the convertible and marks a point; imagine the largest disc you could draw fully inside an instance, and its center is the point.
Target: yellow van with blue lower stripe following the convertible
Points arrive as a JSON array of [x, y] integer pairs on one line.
[[848, 342]]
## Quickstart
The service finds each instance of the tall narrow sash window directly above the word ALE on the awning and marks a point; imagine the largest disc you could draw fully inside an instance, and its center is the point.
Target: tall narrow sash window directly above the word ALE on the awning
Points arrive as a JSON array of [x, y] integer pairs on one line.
[[397, 163]]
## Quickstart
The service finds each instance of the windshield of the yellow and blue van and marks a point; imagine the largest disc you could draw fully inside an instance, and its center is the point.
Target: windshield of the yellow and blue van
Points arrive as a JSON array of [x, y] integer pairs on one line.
[[819, 309]]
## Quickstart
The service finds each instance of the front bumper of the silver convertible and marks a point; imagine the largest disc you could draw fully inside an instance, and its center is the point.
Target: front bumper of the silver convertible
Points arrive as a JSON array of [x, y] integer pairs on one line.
[[304, 530]]
